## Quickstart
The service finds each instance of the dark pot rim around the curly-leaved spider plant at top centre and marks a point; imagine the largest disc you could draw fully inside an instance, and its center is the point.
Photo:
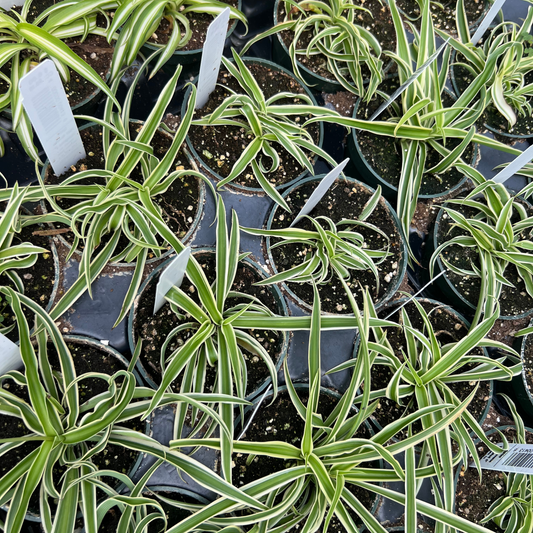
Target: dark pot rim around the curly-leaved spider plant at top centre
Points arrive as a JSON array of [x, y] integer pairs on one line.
[[317, 82]]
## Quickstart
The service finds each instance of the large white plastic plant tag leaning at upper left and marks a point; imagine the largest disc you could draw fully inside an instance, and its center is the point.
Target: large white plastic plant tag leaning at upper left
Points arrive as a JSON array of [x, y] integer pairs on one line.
[[46, 103]]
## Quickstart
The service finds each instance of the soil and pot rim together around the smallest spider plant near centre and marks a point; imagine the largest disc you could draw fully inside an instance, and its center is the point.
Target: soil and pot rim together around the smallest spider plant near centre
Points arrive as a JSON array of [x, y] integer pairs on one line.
[[345, 199]]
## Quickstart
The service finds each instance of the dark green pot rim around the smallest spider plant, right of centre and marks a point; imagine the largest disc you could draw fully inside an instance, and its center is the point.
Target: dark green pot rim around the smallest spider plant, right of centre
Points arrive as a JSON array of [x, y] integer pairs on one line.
[[402, 266]]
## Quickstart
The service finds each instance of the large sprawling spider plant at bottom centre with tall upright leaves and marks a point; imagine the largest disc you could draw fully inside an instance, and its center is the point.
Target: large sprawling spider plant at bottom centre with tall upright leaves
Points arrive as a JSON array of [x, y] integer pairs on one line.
[[314, 486]]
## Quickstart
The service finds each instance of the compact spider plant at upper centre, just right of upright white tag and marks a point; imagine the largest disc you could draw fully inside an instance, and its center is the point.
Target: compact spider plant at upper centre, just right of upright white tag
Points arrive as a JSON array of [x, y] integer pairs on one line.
[[268, 124]]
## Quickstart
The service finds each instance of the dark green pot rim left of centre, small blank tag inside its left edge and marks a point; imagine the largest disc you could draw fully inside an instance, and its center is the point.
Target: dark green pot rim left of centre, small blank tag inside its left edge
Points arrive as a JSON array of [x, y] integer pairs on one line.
[[152, 279]]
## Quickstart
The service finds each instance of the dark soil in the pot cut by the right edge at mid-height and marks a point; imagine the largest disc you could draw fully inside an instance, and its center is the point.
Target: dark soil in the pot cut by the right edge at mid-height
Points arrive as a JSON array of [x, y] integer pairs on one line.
[[513, 300]]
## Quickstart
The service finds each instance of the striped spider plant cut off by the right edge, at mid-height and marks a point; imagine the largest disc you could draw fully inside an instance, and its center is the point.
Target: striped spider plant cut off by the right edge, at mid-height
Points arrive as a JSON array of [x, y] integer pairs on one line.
[[499, 232]]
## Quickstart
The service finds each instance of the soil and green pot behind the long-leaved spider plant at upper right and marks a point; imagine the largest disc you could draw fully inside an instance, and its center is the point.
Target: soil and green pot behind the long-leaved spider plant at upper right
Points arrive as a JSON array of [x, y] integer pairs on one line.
[[377, 158]]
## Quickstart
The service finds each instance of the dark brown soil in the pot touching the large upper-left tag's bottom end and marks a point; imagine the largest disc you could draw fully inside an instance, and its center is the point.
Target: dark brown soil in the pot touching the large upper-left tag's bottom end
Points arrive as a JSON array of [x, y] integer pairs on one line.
[[179, 204]]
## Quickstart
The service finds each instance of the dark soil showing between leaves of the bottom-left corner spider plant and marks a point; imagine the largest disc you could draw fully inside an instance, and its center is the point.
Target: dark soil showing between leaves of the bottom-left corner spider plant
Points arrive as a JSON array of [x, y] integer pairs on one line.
[[88, 355]]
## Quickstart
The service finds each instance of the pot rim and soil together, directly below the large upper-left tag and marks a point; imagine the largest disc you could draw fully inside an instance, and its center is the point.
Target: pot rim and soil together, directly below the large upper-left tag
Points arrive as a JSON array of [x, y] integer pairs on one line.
[[182, 205]]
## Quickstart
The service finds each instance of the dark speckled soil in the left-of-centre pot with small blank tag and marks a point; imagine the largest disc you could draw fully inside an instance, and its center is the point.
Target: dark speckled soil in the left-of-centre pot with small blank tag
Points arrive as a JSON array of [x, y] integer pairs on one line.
[[154, 329]]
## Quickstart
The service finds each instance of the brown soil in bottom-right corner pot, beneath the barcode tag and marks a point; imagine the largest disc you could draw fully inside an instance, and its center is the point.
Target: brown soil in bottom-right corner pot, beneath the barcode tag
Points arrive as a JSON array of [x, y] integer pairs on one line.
[[472, 497]]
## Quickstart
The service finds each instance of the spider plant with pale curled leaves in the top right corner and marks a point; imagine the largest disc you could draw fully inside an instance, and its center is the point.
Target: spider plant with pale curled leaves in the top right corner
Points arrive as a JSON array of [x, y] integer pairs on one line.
[[510, 93]]
